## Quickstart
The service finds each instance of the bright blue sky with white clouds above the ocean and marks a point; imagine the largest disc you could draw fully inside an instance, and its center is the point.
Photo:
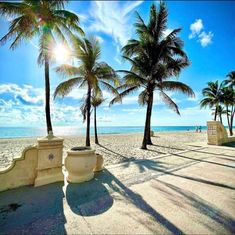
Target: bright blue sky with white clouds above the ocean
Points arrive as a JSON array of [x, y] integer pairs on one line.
[[209, 36]]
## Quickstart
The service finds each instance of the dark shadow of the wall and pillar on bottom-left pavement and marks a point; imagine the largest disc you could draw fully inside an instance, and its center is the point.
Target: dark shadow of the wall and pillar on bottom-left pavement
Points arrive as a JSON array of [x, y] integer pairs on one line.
[[35, 210]]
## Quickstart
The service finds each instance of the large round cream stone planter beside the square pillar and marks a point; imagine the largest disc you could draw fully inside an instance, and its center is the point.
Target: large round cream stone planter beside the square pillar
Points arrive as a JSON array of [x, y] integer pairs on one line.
[[80, 162]]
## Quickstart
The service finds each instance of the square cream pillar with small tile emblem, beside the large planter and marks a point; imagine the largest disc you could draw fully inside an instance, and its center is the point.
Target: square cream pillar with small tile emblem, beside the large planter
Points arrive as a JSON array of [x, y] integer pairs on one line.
[[49, 167]]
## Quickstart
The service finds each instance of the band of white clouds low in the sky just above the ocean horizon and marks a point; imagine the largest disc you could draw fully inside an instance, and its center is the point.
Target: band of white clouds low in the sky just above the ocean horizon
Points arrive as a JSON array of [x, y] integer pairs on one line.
[[24, 104]]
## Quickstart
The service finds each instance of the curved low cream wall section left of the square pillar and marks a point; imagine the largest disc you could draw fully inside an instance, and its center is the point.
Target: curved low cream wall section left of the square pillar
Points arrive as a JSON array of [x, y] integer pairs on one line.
[[22, 170]]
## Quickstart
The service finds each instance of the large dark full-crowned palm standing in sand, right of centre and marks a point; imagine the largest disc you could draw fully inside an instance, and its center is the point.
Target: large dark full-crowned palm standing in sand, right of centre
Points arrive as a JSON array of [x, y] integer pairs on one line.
[[154, 57]]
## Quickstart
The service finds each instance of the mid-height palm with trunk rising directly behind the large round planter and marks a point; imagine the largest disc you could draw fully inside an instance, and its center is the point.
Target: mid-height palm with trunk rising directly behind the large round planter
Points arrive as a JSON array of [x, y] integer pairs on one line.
[[89, 73]]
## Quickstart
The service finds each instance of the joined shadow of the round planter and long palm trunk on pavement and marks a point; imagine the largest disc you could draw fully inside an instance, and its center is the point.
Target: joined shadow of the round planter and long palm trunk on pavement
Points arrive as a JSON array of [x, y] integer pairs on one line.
[[101, 199]]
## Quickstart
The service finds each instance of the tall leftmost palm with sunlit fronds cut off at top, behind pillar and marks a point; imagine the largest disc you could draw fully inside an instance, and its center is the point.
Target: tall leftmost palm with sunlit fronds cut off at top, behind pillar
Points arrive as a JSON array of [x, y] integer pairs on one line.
[[46, 20]]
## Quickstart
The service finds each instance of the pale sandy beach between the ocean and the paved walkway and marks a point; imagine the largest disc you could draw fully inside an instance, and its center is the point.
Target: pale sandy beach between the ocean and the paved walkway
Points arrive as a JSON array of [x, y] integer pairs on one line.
[[115, 148]]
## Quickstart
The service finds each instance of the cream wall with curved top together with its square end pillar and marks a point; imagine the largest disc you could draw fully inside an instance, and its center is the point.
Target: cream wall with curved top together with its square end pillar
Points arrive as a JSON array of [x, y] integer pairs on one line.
[[38, 165]]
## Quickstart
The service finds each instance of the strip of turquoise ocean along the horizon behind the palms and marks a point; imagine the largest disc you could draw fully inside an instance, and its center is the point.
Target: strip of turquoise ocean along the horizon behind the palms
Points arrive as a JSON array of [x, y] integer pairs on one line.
[[15, 132]]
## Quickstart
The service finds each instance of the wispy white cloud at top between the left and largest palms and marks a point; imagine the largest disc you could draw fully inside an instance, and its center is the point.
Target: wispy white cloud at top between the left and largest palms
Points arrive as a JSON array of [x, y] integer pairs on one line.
[[112, 18]]
